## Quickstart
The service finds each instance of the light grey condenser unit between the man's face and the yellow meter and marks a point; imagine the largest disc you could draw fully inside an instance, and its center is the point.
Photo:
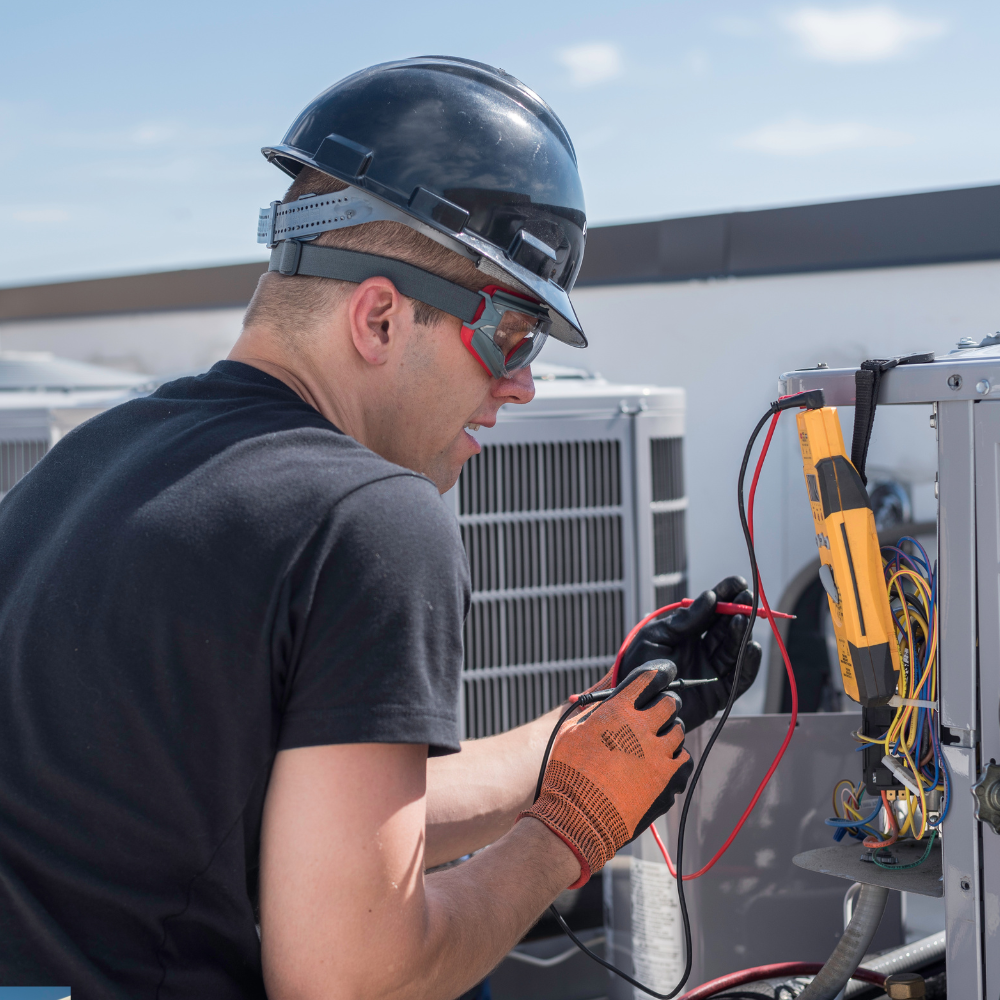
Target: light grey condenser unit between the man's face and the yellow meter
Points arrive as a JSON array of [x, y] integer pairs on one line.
[[573, 517]]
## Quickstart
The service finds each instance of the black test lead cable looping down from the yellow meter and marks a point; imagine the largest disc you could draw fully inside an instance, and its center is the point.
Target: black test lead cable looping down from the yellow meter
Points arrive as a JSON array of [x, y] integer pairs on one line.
[[689, 796]]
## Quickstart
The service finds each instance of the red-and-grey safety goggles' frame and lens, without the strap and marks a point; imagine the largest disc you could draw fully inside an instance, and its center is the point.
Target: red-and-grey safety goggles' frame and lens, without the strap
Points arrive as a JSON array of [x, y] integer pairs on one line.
[[507, 331]]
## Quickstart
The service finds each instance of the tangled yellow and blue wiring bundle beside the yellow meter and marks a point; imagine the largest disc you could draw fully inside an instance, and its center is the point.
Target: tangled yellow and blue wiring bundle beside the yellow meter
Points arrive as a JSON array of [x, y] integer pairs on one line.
[[911, 744]]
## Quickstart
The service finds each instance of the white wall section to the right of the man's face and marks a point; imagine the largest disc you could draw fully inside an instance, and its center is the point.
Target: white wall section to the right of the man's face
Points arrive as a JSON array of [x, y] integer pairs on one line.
[[726, 342]]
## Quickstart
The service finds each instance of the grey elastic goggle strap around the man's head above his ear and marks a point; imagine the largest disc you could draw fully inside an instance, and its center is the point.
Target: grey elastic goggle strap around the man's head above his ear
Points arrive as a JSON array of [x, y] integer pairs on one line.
[[291, 257]]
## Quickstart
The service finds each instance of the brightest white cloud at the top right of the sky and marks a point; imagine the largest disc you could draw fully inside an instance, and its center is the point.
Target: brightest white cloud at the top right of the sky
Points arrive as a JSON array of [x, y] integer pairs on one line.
[[858, 34]]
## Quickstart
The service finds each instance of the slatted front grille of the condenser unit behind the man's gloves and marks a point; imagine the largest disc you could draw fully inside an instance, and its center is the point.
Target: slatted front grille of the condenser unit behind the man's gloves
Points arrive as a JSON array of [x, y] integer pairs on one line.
[[542, 526]]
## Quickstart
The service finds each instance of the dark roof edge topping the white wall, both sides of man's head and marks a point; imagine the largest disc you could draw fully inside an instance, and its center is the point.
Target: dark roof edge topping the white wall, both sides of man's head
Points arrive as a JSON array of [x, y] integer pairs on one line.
[[953, 225]]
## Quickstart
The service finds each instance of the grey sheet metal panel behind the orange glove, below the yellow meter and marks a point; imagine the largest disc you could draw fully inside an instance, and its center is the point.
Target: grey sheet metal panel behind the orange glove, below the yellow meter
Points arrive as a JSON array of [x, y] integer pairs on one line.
[[754, 906]]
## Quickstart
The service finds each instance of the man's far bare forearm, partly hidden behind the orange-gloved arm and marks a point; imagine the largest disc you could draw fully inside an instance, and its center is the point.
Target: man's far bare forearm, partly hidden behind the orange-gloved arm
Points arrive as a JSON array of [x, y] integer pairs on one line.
[[473, 797]]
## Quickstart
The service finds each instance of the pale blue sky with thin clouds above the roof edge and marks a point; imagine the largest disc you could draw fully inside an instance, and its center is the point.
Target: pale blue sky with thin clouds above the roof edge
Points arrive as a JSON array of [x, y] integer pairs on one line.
[[129, 133]]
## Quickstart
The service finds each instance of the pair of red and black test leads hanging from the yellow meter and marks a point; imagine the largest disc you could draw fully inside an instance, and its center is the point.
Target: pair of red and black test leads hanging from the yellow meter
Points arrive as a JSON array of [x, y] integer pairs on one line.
[[812, 399]]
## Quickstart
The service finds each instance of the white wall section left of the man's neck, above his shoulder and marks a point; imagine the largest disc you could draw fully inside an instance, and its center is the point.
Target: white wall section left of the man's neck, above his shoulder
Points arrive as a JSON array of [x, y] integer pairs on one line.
[[161, 343]]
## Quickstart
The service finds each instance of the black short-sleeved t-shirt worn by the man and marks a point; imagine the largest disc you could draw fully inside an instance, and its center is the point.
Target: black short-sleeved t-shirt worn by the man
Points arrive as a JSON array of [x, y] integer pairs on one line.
[[189, 583]]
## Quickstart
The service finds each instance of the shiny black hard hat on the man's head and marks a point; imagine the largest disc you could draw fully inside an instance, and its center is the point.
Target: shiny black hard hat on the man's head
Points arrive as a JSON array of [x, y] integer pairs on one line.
[[464, 153]]
